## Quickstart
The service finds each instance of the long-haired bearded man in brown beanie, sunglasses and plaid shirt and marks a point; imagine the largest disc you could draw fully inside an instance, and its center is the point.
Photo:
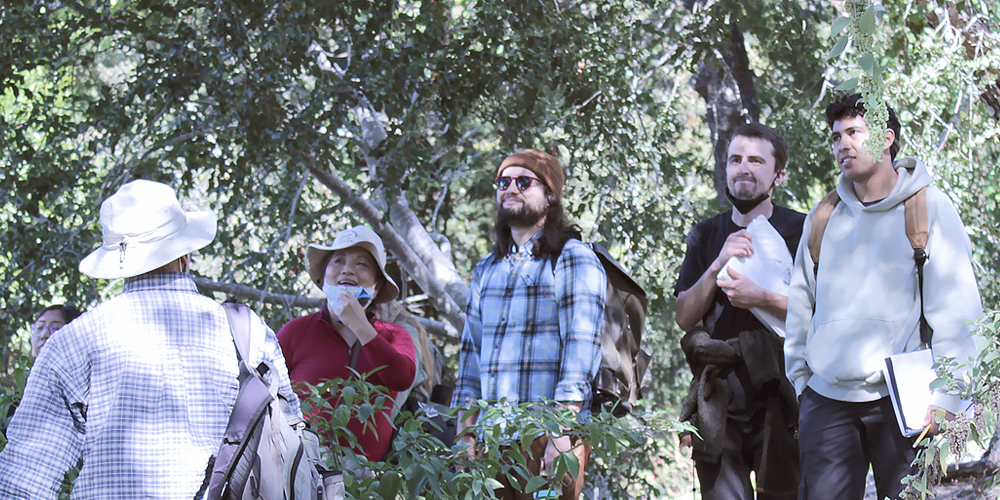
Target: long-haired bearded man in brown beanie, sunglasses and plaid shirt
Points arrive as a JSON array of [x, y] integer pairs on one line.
[[535, 313]]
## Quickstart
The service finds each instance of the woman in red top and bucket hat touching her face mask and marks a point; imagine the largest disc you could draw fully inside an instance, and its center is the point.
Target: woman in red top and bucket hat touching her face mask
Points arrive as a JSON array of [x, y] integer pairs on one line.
[[324, 345]]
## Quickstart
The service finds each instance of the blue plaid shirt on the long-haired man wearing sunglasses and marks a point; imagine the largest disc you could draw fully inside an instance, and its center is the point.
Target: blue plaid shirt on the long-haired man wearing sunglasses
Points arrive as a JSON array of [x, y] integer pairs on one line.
[[532, 331]]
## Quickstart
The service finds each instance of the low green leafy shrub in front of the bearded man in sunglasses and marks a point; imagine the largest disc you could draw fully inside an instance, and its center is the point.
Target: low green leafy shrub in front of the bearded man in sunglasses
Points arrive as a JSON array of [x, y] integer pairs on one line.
[[419, 465]]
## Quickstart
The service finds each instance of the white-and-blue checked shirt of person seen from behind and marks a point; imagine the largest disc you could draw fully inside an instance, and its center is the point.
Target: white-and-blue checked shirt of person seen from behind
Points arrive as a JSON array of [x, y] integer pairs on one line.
[[140, 389]]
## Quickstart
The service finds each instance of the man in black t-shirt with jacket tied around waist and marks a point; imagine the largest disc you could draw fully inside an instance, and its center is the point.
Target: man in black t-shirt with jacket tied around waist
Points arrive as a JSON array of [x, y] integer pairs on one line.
[[740, 400]]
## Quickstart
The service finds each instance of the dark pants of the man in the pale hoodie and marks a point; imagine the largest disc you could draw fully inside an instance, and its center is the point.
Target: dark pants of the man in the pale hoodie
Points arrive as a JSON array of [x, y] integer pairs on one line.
[[839, 440]]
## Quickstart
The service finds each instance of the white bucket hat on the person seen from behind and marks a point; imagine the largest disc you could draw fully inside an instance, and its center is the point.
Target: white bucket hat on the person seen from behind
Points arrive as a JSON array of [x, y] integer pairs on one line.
[[144, 228]]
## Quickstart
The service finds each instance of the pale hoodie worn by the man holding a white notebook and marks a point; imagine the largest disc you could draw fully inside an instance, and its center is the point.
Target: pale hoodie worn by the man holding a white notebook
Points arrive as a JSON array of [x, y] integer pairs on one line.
[[865, 296]]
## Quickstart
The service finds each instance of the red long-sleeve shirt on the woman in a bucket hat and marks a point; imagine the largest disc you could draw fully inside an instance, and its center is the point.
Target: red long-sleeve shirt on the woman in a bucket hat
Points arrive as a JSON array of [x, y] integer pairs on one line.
[[315, 352]]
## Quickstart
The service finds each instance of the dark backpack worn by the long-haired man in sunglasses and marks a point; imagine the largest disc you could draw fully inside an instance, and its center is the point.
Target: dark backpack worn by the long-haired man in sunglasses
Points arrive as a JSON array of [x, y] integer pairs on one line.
[[624, 362]]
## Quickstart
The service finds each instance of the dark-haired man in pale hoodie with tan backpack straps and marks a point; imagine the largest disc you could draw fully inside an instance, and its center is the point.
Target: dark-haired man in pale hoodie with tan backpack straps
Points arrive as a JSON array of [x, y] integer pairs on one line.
[[862, 304]]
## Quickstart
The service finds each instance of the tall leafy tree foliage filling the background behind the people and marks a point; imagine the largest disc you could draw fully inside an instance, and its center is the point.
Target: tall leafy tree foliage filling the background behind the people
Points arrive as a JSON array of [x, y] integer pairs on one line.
[[229, 101]]
